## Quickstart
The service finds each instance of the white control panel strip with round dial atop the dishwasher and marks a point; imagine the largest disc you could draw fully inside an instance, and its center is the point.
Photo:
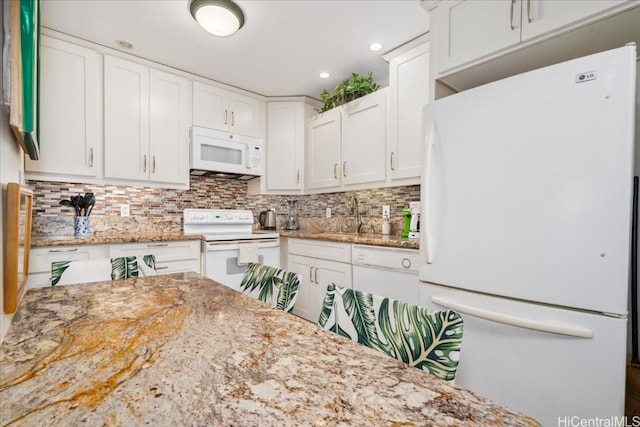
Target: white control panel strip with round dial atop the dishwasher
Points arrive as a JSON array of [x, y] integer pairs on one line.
[[395, 259]]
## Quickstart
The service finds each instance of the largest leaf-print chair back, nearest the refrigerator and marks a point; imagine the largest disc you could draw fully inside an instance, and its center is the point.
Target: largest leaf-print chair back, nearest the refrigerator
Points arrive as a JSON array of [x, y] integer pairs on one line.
[[429, 340]]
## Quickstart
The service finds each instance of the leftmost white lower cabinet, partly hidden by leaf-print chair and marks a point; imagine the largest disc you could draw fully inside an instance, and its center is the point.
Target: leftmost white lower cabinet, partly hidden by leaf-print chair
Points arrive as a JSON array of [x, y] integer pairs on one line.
[[40, 260]]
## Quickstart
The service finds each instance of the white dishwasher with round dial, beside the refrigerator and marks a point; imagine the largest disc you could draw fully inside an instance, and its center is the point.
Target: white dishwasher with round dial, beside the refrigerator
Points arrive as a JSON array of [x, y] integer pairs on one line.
[[389, 272]]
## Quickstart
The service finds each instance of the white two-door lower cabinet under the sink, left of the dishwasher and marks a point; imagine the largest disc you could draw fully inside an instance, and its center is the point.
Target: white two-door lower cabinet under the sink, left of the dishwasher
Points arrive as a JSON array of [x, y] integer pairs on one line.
[[318, 263]]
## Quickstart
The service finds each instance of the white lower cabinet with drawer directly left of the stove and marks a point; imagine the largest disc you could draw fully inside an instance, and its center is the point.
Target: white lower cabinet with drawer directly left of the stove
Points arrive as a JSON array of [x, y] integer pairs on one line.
[[171, 257]]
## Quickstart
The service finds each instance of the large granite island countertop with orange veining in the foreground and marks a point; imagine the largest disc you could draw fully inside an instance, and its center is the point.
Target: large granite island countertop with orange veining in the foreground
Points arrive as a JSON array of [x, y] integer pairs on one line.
[[182, 349]]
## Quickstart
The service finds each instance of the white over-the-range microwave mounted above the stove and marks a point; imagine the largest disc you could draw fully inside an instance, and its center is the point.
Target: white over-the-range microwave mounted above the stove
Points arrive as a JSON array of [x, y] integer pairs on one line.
[[226, 154]]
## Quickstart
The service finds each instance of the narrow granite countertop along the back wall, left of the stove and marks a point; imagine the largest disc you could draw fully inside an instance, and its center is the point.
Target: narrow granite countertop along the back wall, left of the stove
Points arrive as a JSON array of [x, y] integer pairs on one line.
[[109, 238]]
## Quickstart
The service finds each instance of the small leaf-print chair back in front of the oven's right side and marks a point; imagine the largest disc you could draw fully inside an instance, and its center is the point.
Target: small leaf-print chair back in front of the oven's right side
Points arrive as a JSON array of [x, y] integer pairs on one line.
[[271, 285]]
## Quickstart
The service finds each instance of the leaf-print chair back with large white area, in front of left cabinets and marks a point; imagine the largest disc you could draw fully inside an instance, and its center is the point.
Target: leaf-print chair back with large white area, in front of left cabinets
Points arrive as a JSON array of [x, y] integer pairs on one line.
[[97, 270]]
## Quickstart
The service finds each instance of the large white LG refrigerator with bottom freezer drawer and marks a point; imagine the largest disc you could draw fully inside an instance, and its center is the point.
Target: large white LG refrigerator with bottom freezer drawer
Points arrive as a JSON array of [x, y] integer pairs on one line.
[[525, 230]]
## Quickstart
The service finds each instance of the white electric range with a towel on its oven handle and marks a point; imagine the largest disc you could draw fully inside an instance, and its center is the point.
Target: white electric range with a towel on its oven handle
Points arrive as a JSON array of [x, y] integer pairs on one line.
[[229, 243]]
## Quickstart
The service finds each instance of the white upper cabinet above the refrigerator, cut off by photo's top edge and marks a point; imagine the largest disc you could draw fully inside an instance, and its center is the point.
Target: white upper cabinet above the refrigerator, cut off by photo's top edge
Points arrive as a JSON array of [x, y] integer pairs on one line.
[[469, 30]]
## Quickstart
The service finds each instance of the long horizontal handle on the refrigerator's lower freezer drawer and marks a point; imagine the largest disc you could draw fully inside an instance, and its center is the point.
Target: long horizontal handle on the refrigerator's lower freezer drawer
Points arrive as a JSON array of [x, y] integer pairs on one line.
[[520, 322]]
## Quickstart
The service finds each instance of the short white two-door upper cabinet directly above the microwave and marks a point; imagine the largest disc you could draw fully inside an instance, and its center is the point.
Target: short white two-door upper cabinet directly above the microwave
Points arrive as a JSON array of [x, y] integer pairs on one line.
[[217, 108]]
